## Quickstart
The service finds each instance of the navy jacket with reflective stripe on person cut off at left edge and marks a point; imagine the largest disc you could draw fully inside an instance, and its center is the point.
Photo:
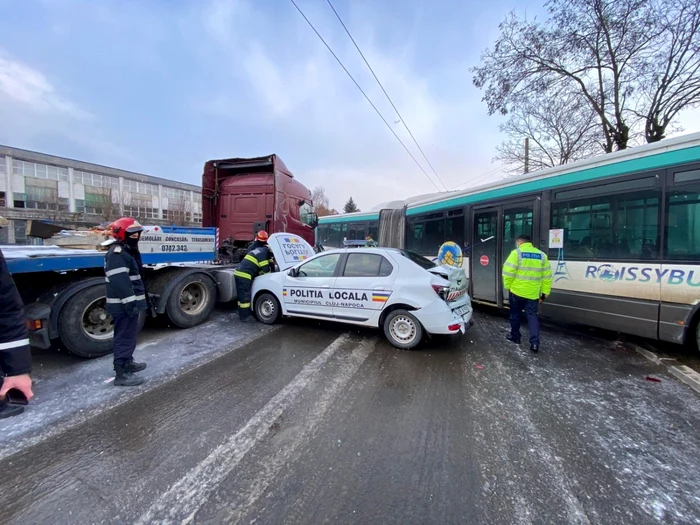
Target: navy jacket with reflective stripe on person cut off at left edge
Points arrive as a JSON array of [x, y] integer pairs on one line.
[[15, 356]]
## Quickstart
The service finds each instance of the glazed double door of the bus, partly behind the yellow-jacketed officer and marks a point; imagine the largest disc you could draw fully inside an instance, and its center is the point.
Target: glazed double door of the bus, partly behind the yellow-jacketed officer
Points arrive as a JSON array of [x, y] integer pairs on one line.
[[494, 234]]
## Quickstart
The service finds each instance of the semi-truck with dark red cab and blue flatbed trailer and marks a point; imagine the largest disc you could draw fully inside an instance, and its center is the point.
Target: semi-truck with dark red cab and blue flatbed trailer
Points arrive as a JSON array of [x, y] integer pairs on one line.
[[187, 270]]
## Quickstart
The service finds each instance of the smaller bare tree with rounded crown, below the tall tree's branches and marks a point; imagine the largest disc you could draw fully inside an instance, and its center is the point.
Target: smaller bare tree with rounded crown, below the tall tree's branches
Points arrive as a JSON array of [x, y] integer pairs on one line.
[[559, 130]]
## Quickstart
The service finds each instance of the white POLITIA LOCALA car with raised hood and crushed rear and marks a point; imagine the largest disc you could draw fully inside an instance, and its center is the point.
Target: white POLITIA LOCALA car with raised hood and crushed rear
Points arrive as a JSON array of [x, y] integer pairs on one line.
[[405, 294]]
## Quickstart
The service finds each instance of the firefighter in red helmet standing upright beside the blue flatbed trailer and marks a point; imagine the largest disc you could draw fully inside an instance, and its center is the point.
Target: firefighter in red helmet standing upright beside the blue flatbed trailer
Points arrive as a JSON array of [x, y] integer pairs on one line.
[[126, 297]]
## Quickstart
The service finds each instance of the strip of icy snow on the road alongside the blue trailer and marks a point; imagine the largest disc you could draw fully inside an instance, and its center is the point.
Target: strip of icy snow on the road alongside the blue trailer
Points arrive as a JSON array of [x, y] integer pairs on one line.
[[75, 393]]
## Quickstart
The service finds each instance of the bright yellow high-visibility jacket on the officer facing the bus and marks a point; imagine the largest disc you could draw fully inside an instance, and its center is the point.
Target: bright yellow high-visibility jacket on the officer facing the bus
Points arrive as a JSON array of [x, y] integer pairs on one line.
[[527, 272]]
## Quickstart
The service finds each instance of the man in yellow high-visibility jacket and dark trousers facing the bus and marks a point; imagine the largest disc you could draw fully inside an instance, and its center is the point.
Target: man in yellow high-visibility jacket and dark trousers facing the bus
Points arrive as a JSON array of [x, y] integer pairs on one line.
[[528, 278]]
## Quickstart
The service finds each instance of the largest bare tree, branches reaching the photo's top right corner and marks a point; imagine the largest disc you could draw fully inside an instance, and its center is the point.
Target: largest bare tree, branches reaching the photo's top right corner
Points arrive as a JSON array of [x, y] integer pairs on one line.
[[606, 51]]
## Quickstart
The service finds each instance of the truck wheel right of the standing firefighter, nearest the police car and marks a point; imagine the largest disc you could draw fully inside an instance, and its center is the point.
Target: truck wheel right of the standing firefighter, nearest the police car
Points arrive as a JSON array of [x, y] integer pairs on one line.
[[191, 300]]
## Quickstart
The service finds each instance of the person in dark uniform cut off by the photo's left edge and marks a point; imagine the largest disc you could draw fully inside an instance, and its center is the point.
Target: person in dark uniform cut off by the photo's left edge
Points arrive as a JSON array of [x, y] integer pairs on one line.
[[15, 356]]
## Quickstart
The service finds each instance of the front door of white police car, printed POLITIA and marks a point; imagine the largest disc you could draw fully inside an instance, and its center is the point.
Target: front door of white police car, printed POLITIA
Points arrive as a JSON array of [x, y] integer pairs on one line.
[[306, 288]]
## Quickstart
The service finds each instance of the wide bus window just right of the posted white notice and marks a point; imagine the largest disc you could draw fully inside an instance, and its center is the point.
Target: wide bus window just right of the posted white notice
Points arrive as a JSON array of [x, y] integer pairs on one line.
[[610, 227]]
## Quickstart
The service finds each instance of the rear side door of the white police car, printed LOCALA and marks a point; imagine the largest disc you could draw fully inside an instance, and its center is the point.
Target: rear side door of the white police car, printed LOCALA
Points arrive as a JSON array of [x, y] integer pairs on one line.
[[363, 287]]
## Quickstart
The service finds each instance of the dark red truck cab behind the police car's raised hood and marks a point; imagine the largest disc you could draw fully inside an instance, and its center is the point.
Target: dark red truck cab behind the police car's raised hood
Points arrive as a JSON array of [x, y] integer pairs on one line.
[[241, 196]]
